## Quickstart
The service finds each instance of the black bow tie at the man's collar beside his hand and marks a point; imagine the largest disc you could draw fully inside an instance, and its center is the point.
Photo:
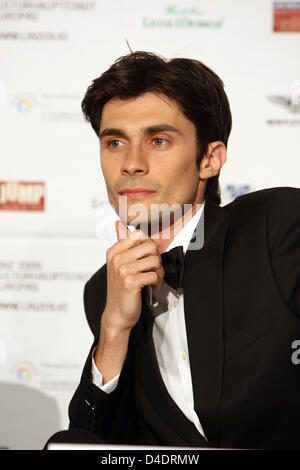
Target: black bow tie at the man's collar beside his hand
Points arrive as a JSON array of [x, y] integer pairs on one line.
[[173, 264]]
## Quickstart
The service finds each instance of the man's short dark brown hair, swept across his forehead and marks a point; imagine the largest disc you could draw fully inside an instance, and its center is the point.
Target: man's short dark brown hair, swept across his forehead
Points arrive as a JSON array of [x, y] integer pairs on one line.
[[198, 91]]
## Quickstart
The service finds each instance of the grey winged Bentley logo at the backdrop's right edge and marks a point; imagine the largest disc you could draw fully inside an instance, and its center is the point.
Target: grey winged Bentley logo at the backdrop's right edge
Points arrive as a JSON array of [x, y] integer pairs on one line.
[[289, 102]]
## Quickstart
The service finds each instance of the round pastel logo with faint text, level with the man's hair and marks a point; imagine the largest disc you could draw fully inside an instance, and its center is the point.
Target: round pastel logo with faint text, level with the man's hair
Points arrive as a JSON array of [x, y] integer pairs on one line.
[[50, 107]]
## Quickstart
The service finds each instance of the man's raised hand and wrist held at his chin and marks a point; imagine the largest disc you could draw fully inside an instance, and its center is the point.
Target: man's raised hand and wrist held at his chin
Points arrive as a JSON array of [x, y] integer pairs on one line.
[[132, 263]]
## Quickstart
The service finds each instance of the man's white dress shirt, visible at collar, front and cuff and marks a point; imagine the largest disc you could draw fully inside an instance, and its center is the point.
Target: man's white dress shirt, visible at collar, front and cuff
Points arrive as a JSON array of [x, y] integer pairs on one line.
[[169, 337]]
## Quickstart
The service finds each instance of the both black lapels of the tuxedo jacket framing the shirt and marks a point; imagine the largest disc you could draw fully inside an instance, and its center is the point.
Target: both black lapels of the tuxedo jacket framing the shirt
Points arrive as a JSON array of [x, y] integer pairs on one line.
[[203, 300]]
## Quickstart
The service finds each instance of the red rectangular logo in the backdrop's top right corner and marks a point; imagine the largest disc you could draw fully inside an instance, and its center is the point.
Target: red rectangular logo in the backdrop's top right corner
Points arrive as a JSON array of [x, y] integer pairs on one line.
[[286, 16]]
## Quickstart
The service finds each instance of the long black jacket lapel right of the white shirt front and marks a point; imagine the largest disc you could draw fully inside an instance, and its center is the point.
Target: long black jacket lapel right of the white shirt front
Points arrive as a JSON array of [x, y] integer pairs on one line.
[[203, 304]]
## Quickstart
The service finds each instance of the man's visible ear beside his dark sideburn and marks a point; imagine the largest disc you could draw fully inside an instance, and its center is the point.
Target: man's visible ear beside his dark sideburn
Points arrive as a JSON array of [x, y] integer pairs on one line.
[[213, 160]]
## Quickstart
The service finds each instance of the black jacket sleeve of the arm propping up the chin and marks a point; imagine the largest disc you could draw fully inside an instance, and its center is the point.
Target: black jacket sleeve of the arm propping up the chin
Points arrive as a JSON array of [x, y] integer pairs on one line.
[[112, 417]]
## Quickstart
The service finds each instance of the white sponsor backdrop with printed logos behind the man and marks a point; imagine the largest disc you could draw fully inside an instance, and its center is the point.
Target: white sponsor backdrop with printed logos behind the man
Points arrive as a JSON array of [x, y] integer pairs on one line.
[[55, 220]]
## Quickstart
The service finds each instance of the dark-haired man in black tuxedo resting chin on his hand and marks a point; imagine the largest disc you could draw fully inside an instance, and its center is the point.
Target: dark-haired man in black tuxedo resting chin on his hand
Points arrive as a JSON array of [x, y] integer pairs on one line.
[[207, 361]]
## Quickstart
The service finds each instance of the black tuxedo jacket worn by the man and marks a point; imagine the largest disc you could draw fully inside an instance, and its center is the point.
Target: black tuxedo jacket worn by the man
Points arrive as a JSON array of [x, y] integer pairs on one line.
[[242, 314]]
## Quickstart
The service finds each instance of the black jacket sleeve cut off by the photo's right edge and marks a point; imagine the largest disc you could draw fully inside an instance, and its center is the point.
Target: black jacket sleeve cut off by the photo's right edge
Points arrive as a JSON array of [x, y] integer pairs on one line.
[[283, 232]]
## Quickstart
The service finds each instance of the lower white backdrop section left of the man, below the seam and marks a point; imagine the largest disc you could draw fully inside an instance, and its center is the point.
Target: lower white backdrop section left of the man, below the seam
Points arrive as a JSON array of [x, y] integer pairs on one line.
[[44, 336]]
